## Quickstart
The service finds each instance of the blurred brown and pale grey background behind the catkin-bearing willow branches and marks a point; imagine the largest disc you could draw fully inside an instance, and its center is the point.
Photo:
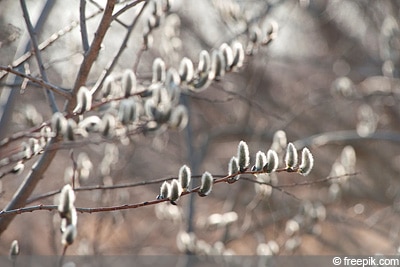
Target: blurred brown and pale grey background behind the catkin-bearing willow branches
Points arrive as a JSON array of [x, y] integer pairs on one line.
[[329, 80]]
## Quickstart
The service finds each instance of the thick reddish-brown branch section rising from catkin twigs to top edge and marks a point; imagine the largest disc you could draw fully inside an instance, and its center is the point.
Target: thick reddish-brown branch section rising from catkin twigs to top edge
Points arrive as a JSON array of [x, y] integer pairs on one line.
[[92, 54]]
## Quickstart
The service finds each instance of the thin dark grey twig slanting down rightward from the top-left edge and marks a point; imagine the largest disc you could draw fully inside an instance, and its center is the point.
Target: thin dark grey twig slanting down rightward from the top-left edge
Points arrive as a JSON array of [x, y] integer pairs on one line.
[[38, 55]]
